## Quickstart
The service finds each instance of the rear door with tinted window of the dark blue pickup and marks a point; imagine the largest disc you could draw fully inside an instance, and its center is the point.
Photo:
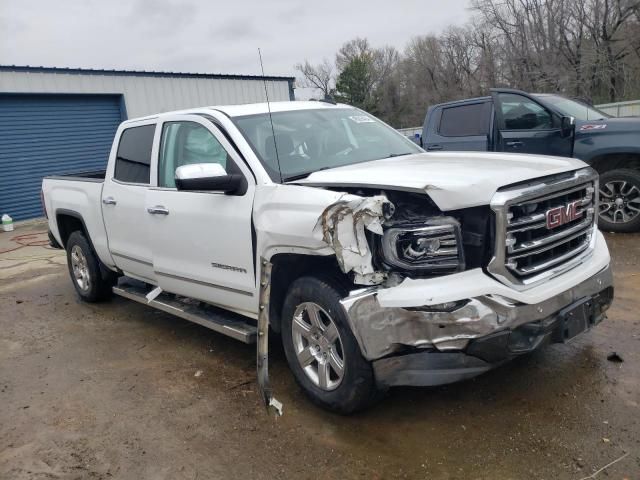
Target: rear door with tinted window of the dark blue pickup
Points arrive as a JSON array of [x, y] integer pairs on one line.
[[461, 127]]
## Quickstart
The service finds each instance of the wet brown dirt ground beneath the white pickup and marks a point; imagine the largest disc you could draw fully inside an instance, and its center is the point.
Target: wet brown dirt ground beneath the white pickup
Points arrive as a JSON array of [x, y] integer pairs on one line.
[[117, 390]]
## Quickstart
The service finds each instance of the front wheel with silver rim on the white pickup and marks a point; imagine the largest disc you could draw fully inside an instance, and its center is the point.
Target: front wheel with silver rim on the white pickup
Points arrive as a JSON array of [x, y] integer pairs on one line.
[[321, 350]]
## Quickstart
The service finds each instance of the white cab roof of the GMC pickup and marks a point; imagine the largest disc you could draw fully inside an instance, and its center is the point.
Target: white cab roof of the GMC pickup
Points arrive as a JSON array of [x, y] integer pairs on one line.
[[249, 109]]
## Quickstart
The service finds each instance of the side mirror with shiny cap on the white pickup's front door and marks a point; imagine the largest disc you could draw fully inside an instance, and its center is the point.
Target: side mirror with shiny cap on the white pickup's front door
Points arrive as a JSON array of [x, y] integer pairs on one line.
[[207, 177]]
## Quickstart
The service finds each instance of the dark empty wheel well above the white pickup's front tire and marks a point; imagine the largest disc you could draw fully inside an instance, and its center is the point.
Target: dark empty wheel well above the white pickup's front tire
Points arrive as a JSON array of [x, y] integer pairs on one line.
[[288, 267]]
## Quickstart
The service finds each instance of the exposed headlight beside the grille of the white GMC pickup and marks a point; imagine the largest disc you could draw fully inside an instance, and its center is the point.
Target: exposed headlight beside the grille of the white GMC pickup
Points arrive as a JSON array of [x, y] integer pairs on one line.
[[433, 247]]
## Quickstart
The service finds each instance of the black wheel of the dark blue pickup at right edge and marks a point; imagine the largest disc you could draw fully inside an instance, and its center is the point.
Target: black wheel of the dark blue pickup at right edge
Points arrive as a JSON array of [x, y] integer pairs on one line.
[[620, 201]]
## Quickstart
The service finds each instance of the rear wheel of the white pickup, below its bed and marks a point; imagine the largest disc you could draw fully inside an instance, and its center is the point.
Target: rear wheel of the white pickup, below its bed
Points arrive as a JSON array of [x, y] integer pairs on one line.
[[85, 271]]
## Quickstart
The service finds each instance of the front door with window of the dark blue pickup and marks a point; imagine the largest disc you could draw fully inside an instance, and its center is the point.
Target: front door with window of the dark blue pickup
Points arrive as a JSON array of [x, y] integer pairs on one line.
[[525, 126]]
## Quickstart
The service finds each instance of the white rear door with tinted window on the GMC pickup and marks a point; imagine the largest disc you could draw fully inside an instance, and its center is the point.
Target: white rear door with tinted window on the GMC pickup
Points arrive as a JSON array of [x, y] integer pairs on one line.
[[123, 201]]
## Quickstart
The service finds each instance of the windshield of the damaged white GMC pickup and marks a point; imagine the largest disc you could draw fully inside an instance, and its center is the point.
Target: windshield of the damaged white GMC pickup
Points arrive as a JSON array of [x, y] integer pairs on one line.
[[312, 140]]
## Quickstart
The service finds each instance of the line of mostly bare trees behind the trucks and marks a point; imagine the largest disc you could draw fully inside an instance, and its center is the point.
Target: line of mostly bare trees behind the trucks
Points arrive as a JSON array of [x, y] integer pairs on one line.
[[587, 49]]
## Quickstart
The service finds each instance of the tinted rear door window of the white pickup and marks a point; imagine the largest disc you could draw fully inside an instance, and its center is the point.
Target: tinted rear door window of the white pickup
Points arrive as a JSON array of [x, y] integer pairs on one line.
[[133, 160]]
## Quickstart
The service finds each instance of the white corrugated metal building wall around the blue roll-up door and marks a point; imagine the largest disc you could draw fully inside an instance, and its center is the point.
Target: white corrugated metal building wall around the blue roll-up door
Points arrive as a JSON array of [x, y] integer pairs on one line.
[[146, 94]]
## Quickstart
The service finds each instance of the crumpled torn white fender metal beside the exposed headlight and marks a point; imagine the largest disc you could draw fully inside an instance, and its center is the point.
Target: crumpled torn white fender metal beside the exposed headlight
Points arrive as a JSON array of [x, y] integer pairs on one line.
[[343, 225]]
